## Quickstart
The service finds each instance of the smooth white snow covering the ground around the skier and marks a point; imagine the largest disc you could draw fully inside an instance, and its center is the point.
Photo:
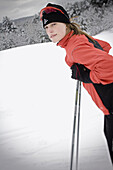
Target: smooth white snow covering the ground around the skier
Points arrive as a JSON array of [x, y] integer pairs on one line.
[[36, 112]]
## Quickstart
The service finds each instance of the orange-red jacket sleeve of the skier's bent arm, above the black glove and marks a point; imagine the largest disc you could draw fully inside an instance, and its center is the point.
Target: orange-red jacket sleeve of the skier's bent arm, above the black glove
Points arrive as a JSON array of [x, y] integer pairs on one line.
[[99, 62]]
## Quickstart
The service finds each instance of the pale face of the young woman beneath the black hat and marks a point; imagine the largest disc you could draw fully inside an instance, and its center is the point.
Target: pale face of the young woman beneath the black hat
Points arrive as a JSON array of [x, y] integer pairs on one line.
[[56, 31]]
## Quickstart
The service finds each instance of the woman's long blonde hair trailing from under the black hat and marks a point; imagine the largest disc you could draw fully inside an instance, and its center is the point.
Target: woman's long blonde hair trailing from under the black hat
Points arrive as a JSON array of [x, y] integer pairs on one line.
[[77, 30]]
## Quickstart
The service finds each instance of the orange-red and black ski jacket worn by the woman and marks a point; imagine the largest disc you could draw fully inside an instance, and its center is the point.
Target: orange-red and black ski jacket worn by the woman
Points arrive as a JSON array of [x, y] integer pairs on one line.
[[100, 63]]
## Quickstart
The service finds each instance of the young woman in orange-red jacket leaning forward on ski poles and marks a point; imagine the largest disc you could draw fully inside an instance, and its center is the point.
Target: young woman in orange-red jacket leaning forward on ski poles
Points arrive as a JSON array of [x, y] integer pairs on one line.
[[88, 59]]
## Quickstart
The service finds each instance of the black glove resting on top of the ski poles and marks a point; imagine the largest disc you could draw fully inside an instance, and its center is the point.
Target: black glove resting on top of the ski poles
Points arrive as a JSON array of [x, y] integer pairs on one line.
[[80, 72]]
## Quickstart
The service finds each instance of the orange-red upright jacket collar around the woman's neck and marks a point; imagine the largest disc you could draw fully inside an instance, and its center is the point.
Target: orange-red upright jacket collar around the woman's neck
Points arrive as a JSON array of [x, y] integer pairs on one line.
[[64, 41]]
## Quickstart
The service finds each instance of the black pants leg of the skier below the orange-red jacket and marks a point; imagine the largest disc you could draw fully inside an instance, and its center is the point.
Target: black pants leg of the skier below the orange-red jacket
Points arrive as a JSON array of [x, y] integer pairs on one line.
[[108, 130]]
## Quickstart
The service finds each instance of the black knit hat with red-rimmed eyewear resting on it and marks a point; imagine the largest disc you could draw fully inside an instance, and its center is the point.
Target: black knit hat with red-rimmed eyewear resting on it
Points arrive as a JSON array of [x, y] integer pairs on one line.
[[53, 13]]
